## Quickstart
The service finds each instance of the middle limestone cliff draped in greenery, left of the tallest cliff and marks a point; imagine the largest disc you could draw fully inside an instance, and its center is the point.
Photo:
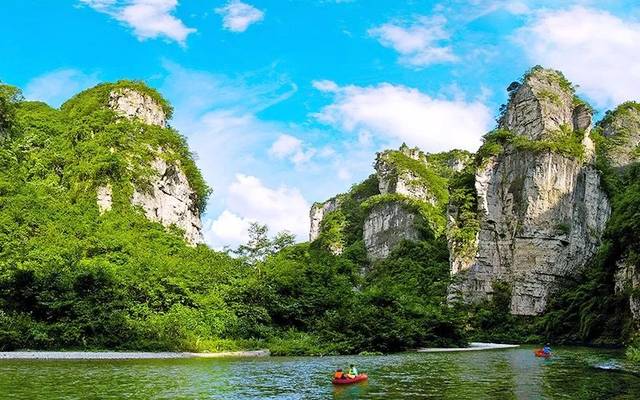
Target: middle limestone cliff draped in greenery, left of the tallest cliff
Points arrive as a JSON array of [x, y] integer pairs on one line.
[[408, 190]]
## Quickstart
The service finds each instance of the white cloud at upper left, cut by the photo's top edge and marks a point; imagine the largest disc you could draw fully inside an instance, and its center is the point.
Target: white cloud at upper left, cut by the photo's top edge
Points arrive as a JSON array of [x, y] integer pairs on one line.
[[148, 18]]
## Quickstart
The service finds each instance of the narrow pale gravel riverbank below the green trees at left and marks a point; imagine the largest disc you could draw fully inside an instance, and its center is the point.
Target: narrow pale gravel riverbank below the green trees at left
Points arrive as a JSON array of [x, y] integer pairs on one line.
[[116, 355]]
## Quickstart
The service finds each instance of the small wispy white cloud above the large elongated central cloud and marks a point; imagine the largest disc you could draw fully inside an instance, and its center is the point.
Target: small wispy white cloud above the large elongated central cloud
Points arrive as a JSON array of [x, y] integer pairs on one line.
[[420, 43]]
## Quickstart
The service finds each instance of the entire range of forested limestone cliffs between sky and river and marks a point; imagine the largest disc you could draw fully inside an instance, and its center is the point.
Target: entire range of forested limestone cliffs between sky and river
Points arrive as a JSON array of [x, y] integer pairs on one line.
[[534, 237]]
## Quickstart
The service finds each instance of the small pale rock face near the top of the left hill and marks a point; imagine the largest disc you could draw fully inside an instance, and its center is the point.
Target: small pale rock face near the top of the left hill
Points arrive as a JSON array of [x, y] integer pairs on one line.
[[133, 104]]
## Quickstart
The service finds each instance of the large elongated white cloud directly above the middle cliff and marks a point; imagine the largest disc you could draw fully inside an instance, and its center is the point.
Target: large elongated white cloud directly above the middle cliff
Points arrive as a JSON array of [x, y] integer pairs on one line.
[[398, 113]]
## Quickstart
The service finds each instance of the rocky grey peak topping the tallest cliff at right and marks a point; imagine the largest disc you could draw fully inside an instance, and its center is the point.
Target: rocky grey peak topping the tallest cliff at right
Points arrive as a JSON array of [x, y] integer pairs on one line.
[[544, 103]]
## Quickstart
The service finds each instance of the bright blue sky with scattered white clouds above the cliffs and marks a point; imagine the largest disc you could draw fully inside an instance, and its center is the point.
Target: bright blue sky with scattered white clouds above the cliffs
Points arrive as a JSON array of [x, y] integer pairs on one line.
[[286, 102]]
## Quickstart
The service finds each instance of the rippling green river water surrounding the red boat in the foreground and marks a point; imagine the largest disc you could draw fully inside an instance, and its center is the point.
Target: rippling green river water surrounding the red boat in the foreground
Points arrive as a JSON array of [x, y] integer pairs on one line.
[[574, 373]]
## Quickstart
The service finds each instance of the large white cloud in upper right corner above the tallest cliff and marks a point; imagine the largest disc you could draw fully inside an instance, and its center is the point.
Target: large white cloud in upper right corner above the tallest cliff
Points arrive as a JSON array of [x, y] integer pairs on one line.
[[597, 50]]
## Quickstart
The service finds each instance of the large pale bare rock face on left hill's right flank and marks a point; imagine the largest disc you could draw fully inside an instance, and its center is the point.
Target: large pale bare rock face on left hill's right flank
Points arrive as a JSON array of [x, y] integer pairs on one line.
[[171, 201]]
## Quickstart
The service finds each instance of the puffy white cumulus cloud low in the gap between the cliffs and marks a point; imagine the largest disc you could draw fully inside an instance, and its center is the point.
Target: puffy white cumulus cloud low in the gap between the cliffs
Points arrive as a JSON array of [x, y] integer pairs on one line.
[[249, 200]]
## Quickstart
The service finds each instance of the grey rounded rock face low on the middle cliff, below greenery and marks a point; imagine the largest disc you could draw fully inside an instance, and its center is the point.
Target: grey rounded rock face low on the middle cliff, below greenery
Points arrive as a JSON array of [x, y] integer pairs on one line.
[[387, 225]]
